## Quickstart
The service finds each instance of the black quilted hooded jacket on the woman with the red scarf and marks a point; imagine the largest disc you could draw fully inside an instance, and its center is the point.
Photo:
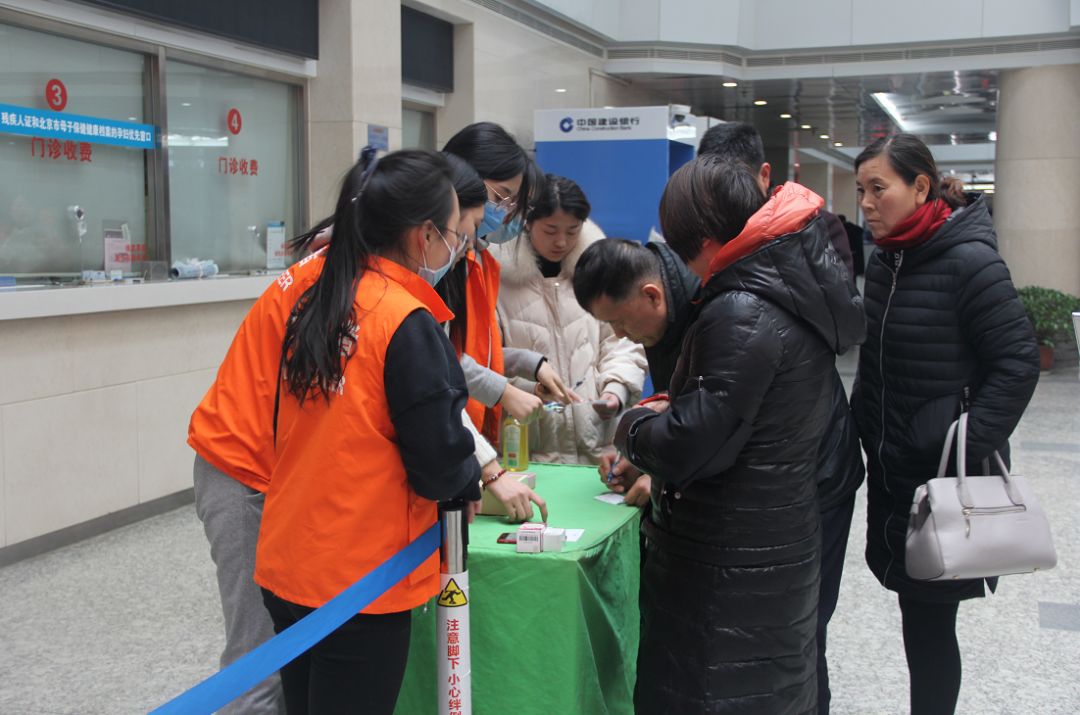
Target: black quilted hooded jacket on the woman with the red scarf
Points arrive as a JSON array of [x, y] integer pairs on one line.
[[943, 320]]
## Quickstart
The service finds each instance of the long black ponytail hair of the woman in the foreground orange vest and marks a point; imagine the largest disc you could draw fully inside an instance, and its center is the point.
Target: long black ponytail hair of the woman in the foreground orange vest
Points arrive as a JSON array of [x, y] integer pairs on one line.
[[381, 200]]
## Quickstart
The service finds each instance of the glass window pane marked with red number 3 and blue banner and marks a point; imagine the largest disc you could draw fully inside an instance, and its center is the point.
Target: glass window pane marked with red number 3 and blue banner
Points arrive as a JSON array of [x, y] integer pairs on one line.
[[53, 89]]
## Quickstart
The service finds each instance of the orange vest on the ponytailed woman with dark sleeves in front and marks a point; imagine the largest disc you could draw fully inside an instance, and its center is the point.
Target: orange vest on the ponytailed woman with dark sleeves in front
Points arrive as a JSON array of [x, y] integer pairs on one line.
[[340, 502]]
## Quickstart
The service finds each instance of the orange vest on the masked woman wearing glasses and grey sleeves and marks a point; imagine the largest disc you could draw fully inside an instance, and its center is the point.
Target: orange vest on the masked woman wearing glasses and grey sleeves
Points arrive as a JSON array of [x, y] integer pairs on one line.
[[483, 339]]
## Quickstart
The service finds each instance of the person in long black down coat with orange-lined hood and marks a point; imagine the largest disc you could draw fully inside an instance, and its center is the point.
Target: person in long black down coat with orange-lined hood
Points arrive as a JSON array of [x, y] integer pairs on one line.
[[730, 584]]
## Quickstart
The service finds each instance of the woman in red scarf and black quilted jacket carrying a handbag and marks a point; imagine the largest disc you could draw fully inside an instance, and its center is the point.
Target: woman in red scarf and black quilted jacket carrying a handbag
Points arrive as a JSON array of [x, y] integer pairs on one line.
[[947, 333]]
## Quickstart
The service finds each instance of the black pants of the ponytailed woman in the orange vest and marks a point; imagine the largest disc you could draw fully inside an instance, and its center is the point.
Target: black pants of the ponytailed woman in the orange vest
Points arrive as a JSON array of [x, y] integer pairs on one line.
[[357, 669]]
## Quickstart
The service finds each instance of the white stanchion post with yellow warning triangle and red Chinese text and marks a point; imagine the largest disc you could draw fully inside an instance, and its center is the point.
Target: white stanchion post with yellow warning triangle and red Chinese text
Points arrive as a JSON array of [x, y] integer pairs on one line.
[[454, 655]]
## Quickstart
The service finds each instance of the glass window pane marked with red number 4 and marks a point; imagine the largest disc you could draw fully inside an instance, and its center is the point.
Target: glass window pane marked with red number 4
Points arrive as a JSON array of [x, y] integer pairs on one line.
[[233, 168]]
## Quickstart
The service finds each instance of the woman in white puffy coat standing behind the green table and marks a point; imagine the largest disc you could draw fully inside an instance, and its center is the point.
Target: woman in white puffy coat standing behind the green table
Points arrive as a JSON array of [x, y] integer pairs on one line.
[[538, 312]]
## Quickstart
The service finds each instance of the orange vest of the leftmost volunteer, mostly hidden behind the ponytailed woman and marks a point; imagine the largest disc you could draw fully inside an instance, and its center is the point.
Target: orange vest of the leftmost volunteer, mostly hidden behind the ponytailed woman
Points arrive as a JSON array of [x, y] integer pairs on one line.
[[233, 427]]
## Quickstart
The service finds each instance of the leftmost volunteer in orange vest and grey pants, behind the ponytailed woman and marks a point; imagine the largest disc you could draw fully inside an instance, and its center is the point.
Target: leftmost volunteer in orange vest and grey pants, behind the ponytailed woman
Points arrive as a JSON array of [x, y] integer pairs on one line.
[[233, 435]]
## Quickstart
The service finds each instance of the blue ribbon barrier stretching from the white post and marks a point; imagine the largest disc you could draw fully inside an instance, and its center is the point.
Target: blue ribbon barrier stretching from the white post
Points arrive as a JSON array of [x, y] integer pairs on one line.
[[255, 667]]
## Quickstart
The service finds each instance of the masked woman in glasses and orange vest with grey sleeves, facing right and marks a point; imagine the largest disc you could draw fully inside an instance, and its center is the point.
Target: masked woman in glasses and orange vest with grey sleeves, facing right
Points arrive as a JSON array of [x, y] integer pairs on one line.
[[474, 288]]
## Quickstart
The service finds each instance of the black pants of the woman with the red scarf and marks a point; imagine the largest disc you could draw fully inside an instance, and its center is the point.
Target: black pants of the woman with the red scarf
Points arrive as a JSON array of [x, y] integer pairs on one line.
[[934, 656]]
